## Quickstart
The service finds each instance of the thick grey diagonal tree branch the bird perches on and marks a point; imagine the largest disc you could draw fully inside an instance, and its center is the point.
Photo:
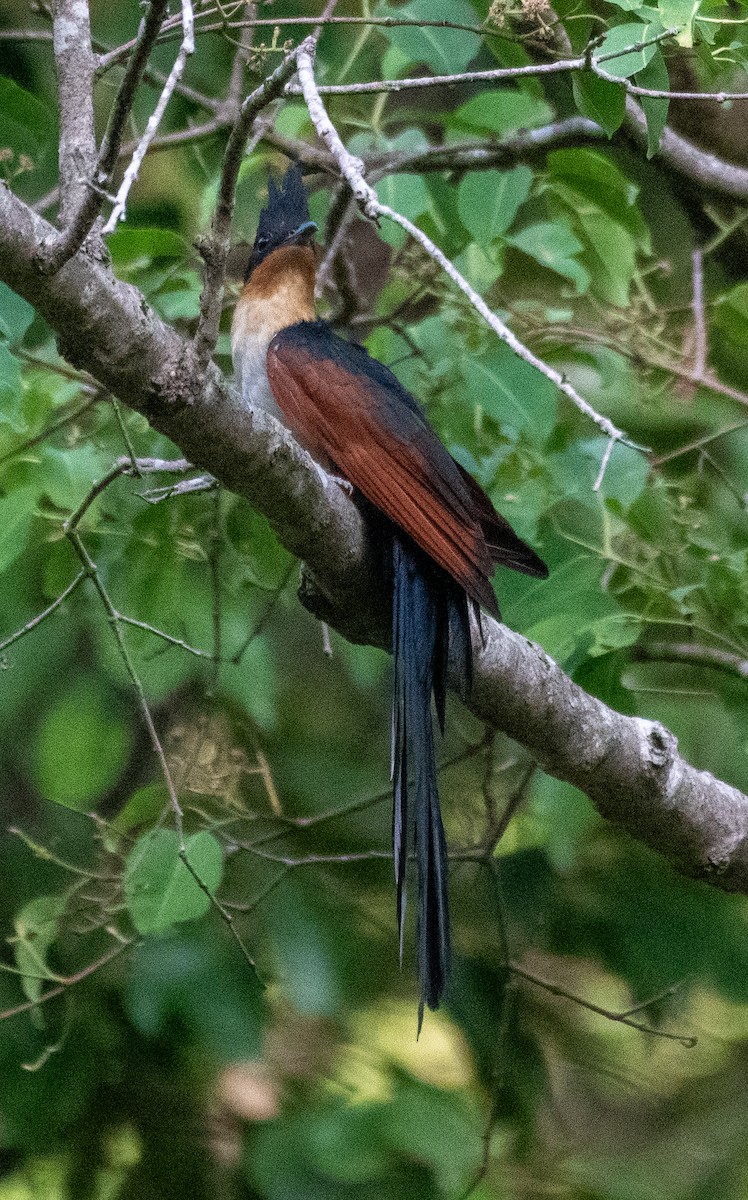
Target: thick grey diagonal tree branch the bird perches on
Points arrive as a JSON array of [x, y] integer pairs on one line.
[[630, 767]]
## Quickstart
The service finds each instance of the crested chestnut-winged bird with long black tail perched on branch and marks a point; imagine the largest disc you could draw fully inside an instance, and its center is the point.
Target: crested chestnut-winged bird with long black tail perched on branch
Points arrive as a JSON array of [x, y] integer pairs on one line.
[[444, 535]]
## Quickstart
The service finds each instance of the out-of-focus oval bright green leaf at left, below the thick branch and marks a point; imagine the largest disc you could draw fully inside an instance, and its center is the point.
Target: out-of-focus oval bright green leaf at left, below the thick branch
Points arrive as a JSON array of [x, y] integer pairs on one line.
[[81, 748]]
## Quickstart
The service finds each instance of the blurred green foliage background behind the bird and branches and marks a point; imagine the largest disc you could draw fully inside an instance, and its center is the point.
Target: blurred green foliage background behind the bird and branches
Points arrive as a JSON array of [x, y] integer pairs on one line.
[[237, 1025]]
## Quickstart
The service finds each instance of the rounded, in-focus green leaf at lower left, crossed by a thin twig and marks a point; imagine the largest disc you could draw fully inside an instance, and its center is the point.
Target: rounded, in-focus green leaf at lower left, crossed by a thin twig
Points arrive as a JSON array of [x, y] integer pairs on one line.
[[159, 889]]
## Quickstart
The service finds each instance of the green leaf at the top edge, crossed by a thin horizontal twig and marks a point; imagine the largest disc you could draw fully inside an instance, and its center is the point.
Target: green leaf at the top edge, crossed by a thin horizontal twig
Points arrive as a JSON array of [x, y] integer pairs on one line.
[[446, 51]]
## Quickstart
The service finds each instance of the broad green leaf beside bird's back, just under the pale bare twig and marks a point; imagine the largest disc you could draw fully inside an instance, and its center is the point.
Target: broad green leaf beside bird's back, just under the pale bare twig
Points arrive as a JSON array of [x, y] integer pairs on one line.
[[512, 393]]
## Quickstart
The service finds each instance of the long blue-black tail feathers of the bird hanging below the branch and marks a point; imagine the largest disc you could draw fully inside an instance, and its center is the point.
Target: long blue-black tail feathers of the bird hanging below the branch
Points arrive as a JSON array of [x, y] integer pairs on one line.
[[430, 623]]
